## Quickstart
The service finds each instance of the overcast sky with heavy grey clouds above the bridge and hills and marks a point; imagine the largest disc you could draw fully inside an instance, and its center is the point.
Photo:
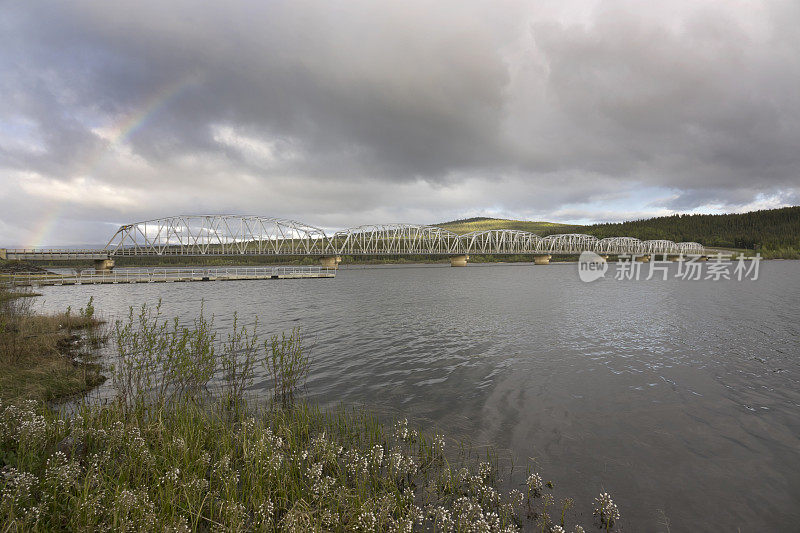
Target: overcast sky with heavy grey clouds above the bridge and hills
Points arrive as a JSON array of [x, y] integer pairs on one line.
[[343, 113]]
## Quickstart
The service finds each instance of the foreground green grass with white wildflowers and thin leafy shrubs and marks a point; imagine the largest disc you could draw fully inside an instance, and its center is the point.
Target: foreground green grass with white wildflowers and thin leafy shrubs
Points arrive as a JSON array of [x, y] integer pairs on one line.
[[183, 446]]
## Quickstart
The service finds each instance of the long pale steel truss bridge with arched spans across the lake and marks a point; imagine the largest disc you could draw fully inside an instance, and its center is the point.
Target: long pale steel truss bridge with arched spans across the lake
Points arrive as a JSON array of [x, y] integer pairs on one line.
[[233, 235]]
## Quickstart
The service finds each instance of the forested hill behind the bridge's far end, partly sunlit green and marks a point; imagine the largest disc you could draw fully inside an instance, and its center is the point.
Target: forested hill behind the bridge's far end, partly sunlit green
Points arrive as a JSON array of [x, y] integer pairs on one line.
[[773, 232]]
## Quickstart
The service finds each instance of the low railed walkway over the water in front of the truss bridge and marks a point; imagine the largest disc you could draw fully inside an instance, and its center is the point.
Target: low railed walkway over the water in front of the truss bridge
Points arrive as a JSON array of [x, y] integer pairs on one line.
[[165, 276]]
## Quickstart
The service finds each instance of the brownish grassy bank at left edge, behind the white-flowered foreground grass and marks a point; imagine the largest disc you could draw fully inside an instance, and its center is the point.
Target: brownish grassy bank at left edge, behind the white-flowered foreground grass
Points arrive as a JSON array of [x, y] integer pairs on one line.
[[46, 357]]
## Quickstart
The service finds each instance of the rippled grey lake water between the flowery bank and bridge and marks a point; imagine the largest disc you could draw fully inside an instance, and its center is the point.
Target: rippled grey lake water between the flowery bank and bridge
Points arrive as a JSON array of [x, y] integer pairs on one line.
[[680, 398]]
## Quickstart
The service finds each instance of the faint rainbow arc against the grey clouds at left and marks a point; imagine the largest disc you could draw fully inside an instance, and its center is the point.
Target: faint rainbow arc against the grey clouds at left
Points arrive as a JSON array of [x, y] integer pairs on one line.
[[120, 133]]
